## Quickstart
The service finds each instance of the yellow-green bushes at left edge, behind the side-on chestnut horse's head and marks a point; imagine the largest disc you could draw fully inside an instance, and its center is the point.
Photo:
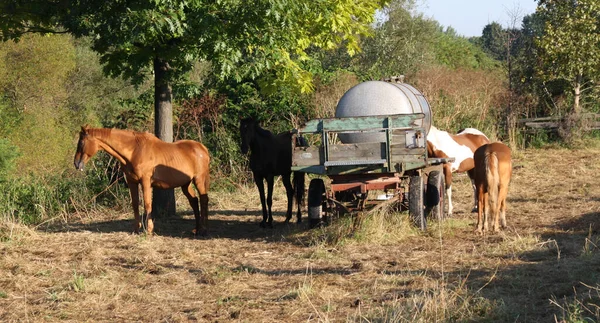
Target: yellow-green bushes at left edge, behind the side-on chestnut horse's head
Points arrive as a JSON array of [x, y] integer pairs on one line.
[[49, 86]]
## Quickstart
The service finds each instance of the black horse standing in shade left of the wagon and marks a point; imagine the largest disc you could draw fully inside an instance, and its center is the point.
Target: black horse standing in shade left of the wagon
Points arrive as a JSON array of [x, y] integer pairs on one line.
[[270, 156]]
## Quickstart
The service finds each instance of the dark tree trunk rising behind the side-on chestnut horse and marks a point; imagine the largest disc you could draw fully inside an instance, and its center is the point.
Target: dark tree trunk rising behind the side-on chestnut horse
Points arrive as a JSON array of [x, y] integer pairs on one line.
[[163, 201]]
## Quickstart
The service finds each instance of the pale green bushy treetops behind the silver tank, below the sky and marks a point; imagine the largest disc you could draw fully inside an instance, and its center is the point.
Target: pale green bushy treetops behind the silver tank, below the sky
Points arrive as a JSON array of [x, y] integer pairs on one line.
[[406, 42]]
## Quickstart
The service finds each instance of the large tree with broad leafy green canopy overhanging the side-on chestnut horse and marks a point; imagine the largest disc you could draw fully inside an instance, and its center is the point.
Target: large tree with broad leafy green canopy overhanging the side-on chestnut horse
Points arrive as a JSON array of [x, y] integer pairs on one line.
[[267, 40]]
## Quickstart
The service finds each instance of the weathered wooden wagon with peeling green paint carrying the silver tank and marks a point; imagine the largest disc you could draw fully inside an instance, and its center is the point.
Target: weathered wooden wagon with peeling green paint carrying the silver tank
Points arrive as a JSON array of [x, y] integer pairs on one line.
[[396, 168]]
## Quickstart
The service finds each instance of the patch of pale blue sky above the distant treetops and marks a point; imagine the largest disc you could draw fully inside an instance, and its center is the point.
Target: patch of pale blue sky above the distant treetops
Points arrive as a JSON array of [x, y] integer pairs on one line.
[[468, 17]]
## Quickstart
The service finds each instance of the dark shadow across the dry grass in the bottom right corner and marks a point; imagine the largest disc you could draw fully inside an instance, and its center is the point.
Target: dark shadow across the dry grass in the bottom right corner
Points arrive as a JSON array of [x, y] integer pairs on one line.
[[564, 270]]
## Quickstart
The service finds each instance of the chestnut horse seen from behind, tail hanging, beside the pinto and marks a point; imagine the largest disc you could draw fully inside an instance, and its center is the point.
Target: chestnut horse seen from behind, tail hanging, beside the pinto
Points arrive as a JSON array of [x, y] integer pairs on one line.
[[493, 170]]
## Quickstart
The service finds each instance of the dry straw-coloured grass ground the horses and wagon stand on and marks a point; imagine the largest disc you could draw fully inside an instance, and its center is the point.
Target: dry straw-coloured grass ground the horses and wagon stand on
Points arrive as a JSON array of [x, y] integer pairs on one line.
[[544, 267]]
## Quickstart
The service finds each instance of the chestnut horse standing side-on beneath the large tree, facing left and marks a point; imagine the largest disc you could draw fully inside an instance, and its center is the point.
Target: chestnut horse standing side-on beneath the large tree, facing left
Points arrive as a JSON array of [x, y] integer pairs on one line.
[[149, 161]]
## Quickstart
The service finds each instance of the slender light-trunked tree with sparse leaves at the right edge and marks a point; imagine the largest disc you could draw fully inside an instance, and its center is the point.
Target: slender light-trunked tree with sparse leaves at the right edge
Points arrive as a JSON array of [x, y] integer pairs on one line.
[[570, 44]]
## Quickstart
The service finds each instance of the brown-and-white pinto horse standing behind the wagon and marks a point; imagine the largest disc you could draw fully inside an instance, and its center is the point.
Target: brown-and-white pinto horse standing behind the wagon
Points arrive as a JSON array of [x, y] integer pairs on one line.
[[441, 144]]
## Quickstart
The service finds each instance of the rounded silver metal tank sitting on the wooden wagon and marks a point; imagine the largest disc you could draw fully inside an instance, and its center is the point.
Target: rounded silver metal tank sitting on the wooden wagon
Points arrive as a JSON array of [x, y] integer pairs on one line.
[[380, 98]]
